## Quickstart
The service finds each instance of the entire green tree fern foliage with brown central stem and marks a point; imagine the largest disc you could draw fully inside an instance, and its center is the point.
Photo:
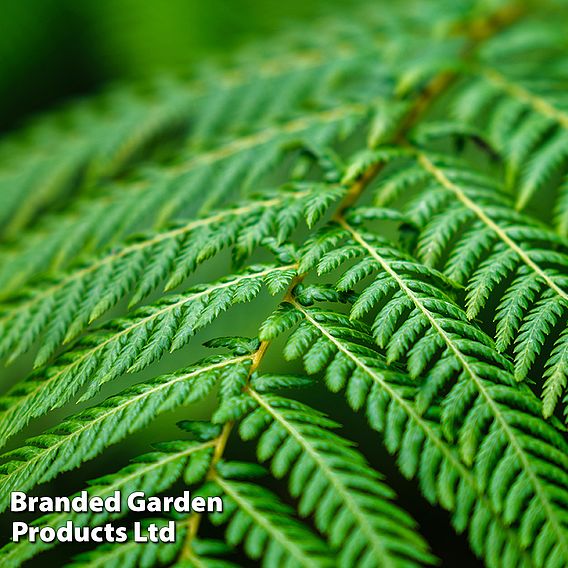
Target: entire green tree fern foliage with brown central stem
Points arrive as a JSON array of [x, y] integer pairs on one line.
[[368, 218]]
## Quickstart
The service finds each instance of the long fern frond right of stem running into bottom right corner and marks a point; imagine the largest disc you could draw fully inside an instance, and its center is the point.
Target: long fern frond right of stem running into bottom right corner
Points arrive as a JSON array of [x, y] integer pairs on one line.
[[457, 364]]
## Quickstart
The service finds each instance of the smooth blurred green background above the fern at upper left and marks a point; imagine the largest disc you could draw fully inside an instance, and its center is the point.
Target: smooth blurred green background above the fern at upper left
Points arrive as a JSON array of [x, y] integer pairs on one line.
[[55, 50]]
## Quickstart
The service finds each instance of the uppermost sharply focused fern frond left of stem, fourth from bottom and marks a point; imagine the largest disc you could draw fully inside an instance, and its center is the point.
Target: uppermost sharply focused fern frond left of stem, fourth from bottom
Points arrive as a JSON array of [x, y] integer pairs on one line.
[[58, 309]]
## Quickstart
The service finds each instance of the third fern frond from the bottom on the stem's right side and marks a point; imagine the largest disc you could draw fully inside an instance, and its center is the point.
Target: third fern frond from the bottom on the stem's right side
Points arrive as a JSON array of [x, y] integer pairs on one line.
[[329, 342]]
